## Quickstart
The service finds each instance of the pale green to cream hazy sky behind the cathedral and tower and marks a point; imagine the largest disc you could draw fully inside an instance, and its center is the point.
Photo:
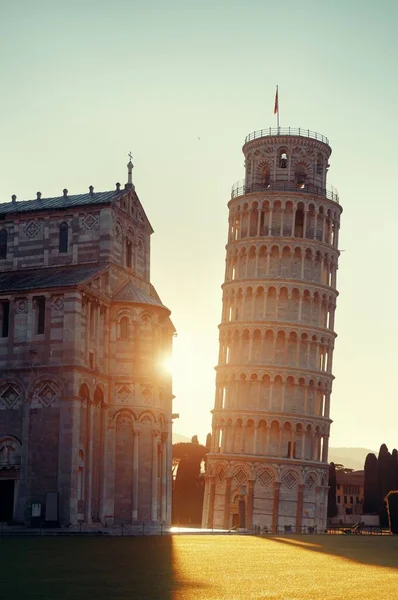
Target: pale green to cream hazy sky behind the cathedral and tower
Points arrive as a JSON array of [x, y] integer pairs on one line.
[[83, 82]]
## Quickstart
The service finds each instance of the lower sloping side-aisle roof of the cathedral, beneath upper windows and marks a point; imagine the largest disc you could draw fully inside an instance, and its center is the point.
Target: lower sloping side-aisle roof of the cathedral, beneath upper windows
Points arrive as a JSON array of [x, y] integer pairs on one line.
[[52, 277]]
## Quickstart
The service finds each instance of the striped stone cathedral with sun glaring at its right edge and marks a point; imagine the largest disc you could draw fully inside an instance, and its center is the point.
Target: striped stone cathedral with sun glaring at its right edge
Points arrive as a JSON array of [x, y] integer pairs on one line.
[[85, 400]]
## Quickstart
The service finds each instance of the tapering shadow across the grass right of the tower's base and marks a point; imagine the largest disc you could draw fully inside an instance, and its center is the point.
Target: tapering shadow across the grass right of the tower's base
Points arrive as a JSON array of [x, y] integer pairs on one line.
[[379, 551]]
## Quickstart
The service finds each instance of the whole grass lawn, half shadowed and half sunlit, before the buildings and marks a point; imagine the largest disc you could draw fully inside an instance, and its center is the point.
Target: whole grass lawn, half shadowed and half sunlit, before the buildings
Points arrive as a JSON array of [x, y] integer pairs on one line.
[[188, 567]]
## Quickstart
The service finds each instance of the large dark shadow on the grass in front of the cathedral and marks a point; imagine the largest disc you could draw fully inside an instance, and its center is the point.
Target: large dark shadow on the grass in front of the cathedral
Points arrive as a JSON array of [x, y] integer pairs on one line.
[[90, 569]]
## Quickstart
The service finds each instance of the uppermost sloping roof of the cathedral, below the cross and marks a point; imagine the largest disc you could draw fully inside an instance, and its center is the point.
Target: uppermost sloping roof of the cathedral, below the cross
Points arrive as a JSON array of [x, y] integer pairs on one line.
[[59, 202]]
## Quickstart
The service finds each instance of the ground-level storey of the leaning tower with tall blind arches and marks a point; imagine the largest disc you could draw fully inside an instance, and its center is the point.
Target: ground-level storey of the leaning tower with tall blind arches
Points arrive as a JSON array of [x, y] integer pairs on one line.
[[277, 497]]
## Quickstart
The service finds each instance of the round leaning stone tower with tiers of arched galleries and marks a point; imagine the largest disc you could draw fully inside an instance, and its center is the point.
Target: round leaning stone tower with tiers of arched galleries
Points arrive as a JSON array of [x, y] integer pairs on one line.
[[271, 418]]
